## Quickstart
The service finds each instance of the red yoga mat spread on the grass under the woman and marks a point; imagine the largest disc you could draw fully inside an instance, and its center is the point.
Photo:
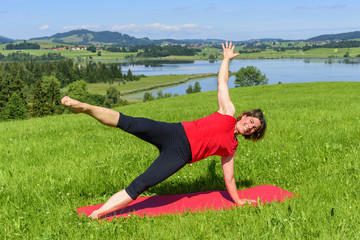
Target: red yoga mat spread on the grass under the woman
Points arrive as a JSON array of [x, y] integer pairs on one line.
[[191, 202]]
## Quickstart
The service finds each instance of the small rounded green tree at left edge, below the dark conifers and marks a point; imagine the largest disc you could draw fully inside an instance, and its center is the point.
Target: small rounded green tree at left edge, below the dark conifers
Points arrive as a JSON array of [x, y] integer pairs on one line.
[[14, 109]]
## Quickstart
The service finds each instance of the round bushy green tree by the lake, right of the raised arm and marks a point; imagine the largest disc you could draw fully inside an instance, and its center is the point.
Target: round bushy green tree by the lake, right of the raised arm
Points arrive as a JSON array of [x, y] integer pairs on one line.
[[250, 76]]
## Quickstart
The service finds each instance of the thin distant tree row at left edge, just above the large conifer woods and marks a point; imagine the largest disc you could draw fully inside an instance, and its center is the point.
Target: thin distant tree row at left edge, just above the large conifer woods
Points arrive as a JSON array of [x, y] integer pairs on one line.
[[22, 57]]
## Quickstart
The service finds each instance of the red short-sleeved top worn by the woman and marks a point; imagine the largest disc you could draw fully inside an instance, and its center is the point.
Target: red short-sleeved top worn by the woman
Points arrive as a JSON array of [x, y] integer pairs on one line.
[[211, 135]]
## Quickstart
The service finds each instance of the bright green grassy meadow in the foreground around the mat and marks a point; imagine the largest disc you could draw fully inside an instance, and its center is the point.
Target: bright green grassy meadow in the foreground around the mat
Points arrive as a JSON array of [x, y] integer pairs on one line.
[[50, 166]]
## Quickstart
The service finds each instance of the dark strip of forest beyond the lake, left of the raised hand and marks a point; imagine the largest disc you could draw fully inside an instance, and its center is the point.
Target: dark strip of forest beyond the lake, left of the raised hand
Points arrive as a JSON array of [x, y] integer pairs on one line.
[[158, 51]]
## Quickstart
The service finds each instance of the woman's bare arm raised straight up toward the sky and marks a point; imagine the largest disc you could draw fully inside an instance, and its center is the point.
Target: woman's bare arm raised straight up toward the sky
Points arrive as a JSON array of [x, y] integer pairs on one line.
[[225, 105]]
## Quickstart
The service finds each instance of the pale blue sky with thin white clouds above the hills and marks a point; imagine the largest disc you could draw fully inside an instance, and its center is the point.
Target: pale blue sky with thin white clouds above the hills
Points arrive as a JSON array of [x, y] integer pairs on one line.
[[196, 19]]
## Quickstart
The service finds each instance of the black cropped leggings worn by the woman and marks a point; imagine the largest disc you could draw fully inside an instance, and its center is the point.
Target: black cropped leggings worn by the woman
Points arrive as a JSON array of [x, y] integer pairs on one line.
[[172, 142]]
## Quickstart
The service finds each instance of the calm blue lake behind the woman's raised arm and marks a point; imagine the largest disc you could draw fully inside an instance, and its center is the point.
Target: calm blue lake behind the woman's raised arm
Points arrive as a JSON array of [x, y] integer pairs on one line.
[[276, 70]]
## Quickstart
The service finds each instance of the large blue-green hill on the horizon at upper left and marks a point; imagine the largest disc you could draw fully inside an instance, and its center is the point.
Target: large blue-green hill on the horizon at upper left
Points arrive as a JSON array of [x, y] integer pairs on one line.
[[84, 36]]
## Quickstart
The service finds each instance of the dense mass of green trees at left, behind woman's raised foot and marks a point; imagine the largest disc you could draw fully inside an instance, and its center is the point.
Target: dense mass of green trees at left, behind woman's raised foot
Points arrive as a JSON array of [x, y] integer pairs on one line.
[[32, 89]]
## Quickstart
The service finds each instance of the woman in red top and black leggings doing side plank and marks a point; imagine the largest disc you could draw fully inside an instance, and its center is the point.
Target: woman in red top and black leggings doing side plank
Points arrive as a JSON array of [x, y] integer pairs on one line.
[[182, 143]]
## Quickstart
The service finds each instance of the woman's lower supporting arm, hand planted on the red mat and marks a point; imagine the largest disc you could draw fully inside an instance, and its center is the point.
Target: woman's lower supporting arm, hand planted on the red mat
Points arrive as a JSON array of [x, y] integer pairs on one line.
[[228, 170]]
